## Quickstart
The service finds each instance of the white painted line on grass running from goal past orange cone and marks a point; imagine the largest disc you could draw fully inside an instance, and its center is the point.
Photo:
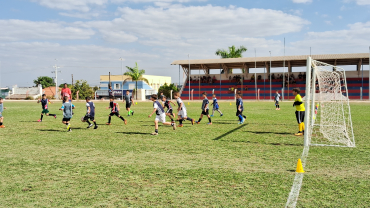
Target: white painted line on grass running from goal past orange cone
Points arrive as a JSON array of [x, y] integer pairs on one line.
[[294, 192]]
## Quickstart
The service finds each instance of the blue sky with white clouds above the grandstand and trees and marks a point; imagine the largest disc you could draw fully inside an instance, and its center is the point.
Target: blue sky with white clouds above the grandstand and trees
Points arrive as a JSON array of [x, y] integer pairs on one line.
[[87, 38]]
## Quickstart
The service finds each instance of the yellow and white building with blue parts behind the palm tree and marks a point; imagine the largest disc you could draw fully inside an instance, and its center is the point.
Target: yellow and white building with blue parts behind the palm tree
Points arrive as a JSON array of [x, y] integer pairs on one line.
[[144, 89]]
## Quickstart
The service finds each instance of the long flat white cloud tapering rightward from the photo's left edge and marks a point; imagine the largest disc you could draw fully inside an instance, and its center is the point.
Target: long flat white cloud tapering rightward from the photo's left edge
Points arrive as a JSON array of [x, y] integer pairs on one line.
[[14, 30]]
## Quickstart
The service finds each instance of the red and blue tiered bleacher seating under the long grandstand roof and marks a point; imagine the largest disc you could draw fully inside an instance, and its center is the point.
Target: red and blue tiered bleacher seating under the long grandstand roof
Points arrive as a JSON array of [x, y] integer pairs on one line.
[[224, 92]]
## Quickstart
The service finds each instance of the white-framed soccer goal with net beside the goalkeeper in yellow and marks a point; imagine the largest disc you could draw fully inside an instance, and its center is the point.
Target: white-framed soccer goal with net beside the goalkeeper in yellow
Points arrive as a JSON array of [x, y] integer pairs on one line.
[[328, 113]]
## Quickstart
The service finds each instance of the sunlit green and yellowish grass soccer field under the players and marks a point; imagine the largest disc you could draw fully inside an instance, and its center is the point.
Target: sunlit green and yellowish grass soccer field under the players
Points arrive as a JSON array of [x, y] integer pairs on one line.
[[219, 165]]
